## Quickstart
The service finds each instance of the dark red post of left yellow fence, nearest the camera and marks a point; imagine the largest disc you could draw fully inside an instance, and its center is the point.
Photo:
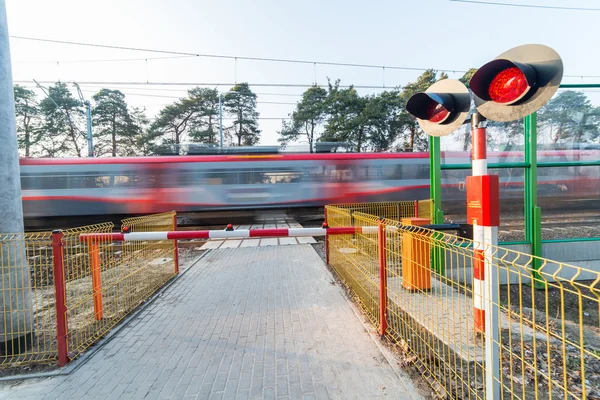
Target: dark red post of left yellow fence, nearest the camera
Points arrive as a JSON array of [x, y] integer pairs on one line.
[[60, 297]]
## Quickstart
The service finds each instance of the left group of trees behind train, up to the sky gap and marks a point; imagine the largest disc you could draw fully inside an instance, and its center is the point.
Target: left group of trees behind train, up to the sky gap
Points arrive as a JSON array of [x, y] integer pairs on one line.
[[55, 125]]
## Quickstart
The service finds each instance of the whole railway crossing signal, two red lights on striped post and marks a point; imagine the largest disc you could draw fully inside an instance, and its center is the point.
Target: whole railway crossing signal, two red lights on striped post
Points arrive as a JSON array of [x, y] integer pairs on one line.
[[515, 84]]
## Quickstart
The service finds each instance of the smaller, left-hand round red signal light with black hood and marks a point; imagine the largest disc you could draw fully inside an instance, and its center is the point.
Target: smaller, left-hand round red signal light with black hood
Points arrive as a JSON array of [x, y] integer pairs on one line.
[[442, 108]]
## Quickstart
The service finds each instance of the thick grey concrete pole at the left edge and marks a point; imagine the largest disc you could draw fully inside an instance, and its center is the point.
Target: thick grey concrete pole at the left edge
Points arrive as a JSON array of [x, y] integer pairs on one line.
[[15, 296]]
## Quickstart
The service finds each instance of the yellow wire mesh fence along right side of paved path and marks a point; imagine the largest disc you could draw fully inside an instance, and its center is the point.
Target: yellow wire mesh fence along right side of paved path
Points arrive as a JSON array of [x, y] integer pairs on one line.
[[548, 341]]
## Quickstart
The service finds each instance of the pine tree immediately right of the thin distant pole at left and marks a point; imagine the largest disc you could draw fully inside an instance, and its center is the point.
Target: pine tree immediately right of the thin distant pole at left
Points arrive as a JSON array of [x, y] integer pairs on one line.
[[114, 126]]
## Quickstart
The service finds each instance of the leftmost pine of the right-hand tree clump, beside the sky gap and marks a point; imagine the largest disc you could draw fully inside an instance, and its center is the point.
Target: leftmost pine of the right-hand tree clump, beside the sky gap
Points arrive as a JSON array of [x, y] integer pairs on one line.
[[310, 113]]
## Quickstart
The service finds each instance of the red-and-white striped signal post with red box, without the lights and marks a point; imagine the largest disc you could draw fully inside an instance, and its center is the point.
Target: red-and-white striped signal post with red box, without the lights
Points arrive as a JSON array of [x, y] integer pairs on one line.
[[483, 212]]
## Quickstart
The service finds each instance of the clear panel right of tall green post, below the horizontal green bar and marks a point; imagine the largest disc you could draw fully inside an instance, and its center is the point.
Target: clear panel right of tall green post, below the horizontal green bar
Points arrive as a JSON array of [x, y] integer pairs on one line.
[[570, 202]]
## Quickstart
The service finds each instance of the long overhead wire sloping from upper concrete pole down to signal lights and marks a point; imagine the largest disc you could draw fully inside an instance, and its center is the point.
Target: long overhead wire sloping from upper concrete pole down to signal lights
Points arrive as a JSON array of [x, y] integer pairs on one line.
[[182, 53]]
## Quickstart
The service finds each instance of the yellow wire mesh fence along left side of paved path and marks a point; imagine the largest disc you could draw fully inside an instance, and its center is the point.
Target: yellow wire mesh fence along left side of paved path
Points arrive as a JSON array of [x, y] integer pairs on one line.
[[99, 283]]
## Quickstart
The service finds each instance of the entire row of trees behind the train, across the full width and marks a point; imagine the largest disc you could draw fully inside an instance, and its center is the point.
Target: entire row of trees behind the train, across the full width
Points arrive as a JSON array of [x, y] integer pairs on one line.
[[55, 126]]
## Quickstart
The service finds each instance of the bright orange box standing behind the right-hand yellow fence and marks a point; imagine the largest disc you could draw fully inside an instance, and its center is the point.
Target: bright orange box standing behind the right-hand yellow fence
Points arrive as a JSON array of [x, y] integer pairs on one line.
[[416, 271]]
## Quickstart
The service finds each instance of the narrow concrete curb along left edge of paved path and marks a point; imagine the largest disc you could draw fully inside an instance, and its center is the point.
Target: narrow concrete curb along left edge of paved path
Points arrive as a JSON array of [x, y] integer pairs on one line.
[[79, 361]]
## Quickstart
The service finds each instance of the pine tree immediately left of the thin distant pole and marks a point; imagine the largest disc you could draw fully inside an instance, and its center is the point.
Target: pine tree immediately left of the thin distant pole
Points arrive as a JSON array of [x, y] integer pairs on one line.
[[62, 118]]
